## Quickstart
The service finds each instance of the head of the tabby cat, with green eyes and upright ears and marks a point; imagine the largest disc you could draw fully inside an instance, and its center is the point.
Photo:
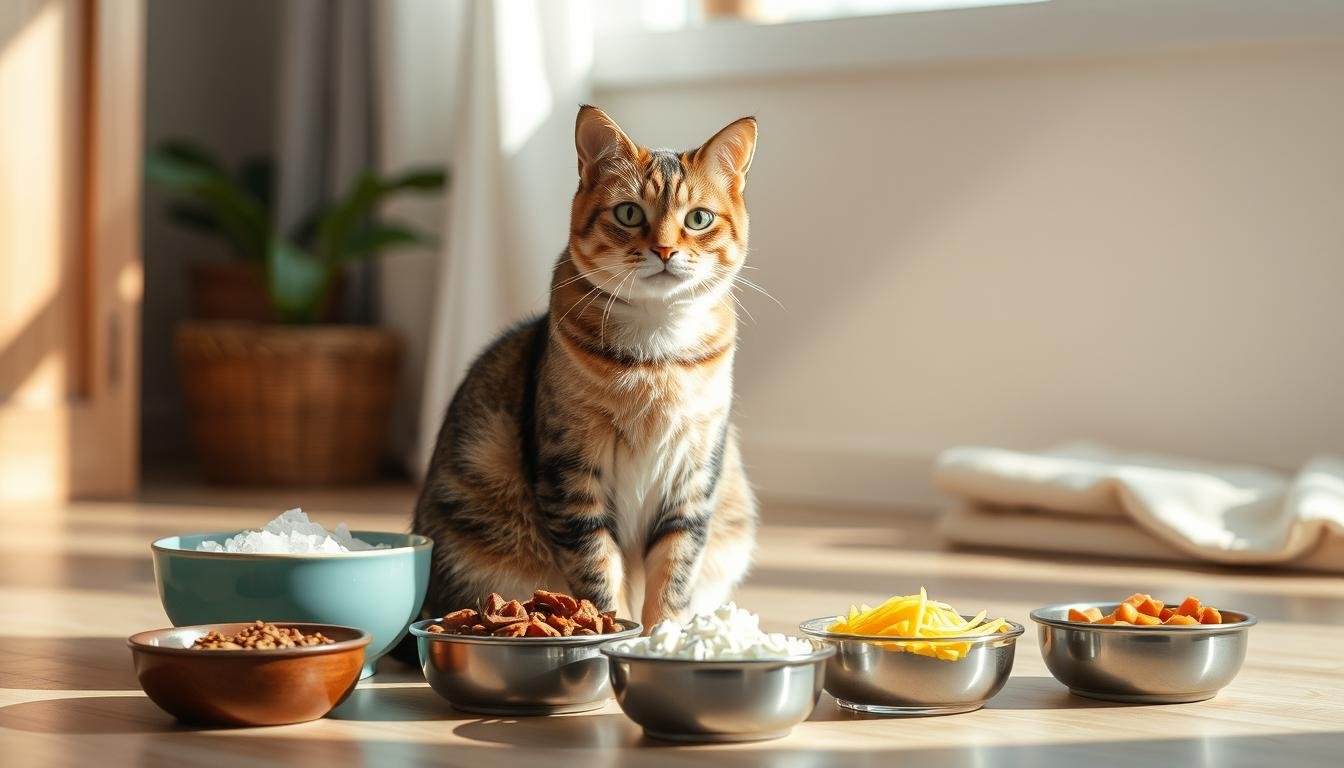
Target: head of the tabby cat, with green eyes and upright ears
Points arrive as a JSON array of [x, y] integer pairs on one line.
[[657, 224]]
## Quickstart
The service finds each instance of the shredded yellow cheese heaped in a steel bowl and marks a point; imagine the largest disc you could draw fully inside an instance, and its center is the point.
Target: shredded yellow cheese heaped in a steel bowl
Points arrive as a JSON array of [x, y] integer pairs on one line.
[[917, 617]]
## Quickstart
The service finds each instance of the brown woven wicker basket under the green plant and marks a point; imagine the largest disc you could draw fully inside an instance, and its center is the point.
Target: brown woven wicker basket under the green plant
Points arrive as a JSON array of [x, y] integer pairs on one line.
[[288, 404]]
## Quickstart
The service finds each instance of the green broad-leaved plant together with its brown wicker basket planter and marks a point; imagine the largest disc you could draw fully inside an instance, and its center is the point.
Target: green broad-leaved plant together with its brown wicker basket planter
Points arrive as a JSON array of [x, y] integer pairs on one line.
[[274, 393]]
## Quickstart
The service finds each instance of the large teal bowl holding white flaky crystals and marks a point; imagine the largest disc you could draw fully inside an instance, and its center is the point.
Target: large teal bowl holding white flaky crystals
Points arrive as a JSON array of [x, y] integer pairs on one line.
[[378, 591]]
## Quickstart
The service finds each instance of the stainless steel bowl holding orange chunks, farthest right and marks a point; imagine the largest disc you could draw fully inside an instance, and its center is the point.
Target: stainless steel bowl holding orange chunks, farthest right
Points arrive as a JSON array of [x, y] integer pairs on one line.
[[1146, 665]]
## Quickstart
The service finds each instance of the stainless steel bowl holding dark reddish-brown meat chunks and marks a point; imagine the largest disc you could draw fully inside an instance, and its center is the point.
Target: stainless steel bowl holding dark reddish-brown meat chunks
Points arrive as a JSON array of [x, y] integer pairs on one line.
[[518, 676]]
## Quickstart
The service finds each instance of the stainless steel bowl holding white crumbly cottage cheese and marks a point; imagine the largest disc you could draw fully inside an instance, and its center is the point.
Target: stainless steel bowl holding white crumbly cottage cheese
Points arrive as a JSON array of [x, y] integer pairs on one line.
[[679, 700]]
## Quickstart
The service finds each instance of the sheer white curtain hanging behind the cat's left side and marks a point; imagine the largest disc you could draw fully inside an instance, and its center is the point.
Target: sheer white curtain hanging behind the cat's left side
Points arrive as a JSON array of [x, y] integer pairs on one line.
[[490, 89]]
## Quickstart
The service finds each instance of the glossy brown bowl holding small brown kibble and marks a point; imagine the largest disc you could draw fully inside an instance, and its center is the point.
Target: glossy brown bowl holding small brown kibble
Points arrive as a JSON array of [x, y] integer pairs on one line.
[[272, 687]]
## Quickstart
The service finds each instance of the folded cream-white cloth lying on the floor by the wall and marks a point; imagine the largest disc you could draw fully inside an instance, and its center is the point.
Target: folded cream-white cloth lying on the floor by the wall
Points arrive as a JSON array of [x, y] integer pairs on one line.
[[1085, 498]]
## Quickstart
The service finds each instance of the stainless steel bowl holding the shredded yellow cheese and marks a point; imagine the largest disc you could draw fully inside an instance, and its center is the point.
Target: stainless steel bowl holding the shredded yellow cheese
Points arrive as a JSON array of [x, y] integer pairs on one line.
[[874, 676]]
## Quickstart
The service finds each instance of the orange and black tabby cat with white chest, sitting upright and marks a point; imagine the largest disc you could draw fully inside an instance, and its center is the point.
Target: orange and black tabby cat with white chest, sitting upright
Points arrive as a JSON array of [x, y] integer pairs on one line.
[[592, 450]]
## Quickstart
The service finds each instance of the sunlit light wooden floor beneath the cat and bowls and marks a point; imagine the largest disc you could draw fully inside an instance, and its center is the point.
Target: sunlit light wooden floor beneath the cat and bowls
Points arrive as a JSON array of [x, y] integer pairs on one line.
[[76, 580]]
